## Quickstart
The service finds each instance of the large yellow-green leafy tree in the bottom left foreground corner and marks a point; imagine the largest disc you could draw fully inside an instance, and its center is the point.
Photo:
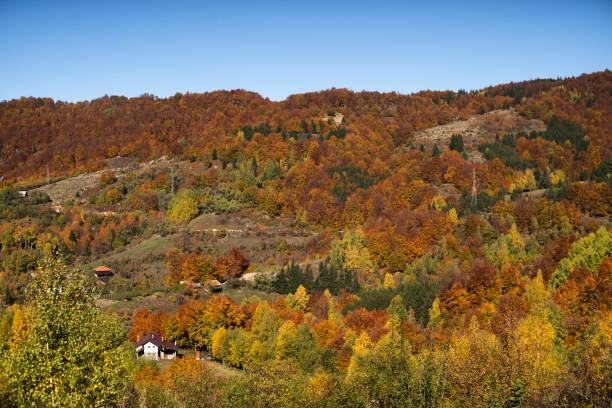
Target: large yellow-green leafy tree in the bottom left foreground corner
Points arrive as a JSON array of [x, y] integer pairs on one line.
[[73, 355]]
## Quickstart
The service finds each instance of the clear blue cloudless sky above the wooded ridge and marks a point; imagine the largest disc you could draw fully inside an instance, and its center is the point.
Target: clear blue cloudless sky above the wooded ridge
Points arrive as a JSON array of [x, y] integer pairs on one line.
[[73, 51]]
